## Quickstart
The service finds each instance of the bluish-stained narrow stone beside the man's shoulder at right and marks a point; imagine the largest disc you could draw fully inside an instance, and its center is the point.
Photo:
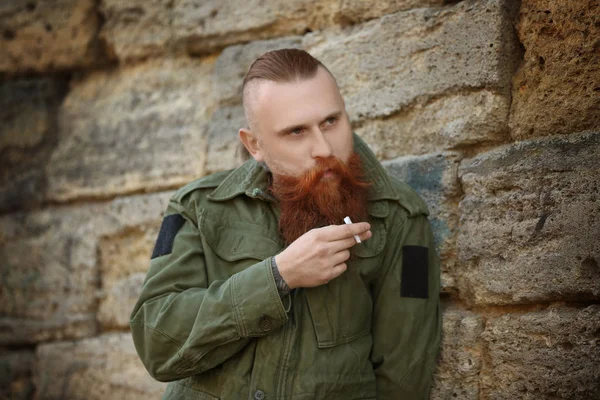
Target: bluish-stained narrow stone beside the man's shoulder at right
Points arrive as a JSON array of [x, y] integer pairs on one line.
[[434, 178]]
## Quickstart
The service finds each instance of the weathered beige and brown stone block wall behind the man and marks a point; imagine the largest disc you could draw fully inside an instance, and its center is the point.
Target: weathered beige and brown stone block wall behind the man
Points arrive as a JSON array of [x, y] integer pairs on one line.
[[490, 109]]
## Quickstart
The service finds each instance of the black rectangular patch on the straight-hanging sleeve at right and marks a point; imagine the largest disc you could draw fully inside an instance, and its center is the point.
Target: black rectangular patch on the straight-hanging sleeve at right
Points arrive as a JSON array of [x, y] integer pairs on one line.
[[415, 264]]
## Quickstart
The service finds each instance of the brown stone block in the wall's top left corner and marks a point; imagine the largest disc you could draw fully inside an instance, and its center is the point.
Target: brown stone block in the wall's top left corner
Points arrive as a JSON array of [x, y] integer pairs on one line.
[[45, 36]]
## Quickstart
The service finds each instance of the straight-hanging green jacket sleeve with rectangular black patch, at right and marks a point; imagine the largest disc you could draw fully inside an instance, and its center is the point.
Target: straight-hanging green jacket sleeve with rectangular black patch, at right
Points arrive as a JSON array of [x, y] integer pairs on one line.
[[407, 318]]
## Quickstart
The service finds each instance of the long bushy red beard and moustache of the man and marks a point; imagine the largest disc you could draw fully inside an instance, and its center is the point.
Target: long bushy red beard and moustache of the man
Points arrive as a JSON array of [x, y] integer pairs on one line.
[[314, 200]]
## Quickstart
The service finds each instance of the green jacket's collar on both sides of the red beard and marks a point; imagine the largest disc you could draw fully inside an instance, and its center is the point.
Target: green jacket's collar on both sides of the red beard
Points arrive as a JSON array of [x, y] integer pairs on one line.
[[251, 178]]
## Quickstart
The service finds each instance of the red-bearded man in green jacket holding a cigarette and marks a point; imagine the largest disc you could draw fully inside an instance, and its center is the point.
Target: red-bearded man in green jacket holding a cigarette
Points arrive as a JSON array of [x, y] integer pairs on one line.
[[258, 290]]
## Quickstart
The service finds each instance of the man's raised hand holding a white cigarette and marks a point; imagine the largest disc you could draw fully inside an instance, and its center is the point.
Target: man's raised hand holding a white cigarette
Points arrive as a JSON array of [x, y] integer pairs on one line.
[[319, 255]]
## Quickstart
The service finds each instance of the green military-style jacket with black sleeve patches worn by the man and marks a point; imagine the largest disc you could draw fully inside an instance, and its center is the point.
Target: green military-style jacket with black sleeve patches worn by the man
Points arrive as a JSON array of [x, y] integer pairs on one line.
[[210, 319]]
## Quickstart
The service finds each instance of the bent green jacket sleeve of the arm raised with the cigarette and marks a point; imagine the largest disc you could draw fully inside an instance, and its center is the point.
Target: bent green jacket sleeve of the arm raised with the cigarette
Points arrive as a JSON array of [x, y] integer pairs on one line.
[[183, 324]]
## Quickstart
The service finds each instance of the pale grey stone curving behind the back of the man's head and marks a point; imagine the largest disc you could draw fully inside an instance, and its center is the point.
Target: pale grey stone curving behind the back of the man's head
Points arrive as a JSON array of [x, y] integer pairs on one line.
[[233, 64]]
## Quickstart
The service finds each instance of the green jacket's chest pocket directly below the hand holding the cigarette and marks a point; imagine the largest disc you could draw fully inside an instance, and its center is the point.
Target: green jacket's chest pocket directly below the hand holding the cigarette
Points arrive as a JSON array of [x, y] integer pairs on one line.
[[341, 310]]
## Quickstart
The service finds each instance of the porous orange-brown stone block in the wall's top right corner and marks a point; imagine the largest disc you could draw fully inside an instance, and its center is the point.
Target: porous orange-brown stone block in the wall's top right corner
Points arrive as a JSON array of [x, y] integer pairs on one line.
[[557, 87]]
